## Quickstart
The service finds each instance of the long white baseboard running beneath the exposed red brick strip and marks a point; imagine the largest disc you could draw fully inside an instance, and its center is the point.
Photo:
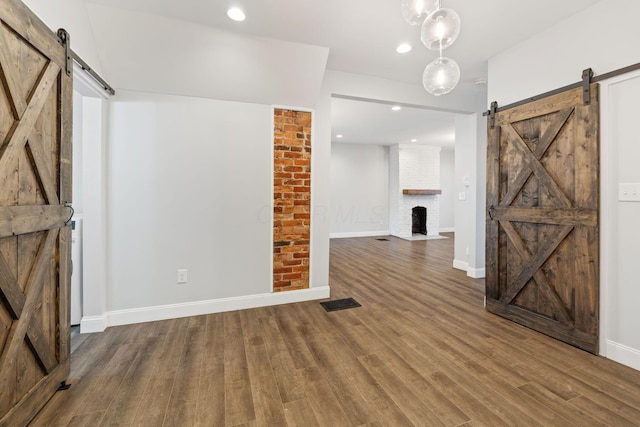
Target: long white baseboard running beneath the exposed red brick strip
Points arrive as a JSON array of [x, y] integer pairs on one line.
[[198, 308]]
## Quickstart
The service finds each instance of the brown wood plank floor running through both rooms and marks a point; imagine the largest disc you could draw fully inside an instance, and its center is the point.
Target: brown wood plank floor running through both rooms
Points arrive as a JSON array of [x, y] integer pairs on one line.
[[420, 351]]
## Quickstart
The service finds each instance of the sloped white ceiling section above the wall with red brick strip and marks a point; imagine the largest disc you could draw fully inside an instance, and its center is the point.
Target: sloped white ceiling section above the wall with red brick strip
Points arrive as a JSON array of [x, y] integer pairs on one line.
[[152, 53]]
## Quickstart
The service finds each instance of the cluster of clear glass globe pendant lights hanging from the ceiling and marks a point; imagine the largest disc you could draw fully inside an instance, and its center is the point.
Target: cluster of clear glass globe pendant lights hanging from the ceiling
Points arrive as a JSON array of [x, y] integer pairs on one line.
[[440, 29]]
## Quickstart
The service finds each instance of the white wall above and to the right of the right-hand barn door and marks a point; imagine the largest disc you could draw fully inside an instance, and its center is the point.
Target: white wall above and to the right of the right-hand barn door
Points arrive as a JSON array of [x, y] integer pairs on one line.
[[564, 50]]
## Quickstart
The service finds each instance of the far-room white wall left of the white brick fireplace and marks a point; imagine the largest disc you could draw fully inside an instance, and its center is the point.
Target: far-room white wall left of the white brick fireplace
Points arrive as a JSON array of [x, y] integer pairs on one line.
[[359, 190]]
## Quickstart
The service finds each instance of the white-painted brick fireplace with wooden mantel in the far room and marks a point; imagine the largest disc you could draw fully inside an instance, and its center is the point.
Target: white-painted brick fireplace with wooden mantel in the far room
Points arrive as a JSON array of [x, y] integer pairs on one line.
[[413, 167]]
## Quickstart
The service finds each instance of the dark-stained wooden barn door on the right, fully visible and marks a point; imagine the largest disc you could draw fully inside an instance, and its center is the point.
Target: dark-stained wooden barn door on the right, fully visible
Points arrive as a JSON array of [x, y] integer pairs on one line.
[[542, 222]]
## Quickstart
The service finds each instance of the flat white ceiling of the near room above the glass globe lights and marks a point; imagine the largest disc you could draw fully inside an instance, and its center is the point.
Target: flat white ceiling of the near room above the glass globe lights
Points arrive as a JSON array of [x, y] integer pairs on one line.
[[362, 34]]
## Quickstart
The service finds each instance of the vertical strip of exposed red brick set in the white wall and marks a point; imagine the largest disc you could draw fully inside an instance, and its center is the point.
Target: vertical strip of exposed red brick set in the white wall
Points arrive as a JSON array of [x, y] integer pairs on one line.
[[292, 199]]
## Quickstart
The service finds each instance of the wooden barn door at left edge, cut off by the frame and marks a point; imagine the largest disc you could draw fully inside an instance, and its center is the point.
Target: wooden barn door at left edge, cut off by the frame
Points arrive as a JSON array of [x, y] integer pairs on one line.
[[35, 183]]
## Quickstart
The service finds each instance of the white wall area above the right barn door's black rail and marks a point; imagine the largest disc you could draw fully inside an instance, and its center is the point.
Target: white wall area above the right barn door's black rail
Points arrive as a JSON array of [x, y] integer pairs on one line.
[[602, 37]]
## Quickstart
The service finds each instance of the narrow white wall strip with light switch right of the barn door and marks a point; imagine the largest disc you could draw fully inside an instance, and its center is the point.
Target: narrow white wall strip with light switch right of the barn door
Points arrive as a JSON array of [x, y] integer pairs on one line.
[[620, 236]]
